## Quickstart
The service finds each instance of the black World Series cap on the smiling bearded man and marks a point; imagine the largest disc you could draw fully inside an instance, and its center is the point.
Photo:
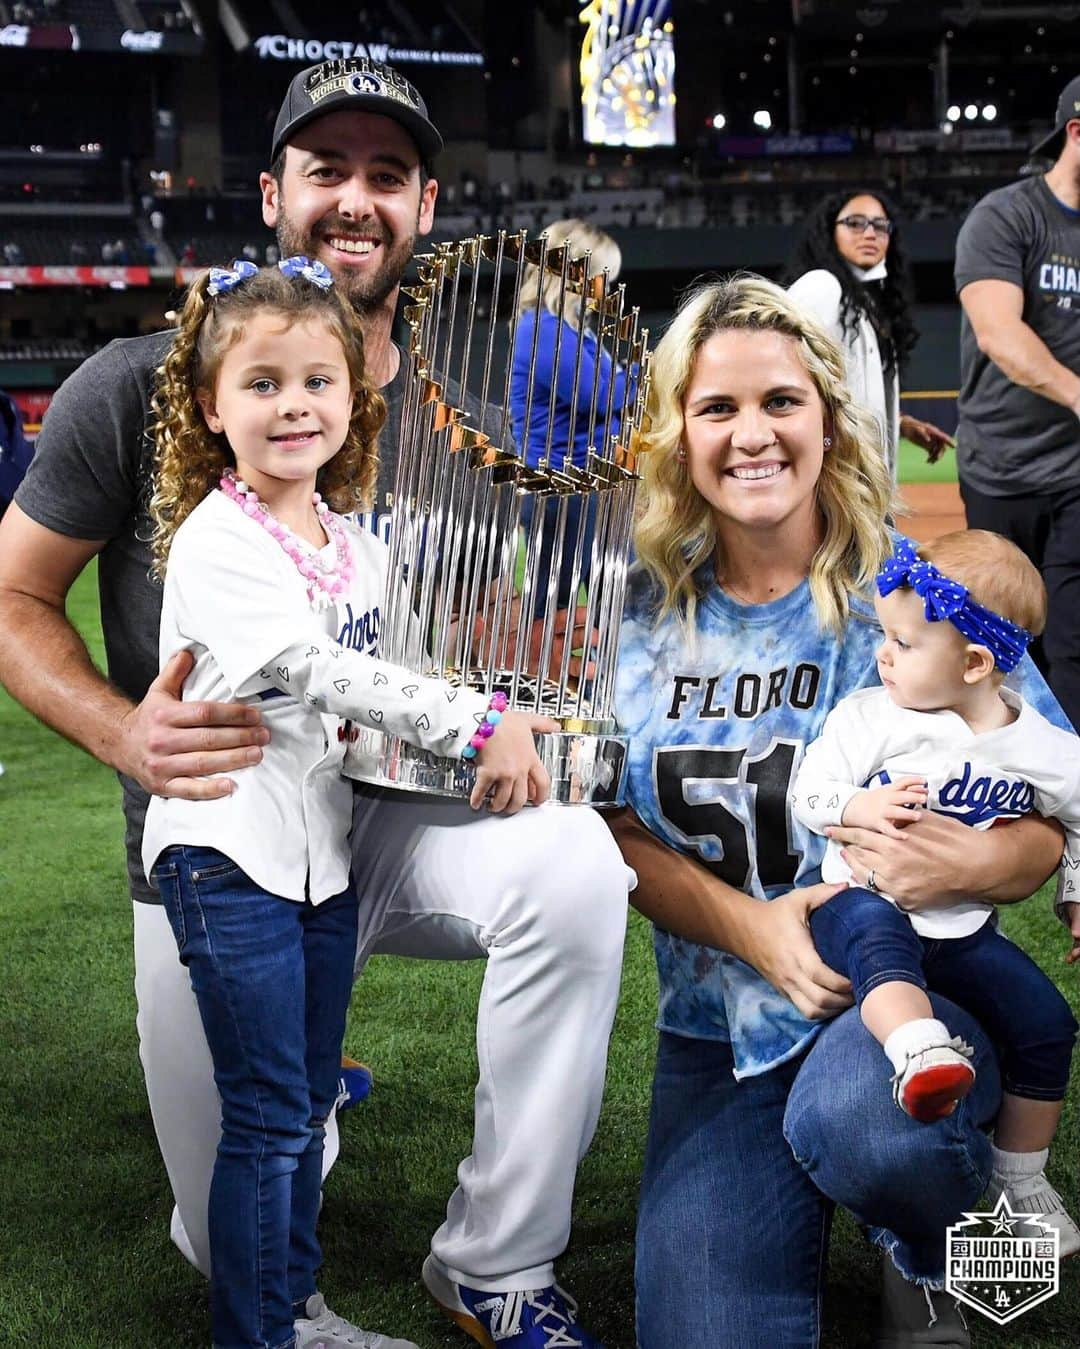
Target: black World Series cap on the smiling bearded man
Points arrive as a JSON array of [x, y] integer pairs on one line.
[[362, 86]]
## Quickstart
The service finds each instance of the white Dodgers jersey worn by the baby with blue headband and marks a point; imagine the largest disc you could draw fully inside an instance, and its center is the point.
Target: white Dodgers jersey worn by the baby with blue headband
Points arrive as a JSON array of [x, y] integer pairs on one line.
[[980, 779]]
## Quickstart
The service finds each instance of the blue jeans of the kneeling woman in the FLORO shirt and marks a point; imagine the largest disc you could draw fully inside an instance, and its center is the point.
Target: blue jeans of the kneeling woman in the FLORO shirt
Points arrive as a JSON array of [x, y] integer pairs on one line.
[[741, 1180]]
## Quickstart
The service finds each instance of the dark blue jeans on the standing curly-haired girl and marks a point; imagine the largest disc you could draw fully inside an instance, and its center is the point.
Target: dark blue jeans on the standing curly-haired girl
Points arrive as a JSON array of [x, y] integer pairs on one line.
[[273, 981]]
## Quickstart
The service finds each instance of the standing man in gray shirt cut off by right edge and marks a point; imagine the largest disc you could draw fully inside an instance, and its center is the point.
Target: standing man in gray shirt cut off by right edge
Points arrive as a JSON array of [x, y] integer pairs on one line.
[[1019, 440]]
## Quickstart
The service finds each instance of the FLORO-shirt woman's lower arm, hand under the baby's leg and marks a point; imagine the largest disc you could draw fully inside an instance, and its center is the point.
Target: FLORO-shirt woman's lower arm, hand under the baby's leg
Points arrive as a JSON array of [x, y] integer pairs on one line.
[[684, 898]]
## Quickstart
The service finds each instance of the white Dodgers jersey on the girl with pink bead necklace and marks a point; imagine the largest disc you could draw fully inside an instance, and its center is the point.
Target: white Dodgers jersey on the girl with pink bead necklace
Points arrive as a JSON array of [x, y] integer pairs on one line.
[[235, 600]]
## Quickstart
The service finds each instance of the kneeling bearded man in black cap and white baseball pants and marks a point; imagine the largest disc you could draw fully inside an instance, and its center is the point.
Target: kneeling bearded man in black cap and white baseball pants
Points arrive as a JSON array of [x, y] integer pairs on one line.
[[540, 896]]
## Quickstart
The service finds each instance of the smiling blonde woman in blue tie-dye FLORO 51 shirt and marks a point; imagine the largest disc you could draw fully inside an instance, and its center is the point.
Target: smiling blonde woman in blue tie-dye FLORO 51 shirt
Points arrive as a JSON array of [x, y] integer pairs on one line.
[[749, 619]]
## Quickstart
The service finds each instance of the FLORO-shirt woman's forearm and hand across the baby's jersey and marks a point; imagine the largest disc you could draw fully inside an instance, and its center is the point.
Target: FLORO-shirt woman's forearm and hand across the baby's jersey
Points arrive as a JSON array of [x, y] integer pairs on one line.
[[939, 861]]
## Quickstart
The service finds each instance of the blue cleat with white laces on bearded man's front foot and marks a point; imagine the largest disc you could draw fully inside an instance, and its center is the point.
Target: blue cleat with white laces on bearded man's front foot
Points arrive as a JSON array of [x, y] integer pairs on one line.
[[539, 1319]]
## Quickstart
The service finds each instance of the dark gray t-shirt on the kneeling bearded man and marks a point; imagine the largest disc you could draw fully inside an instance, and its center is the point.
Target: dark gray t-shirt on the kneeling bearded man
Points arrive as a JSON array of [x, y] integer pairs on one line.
[[91, 480]]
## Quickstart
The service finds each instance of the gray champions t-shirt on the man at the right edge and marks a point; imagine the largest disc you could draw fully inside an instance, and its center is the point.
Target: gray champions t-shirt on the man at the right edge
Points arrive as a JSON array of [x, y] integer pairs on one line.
[[1013, 442]]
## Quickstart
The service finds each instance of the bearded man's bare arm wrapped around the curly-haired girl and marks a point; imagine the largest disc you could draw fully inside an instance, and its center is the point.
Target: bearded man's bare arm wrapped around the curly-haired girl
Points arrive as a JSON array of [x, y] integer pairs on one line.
[[164, 744]]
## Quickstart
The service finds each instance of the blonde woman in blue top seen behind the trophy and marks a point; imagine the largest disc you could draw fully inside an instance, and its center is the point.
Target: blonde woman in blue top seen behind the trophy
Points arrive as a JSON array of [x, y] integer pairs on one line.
[[568, 400]]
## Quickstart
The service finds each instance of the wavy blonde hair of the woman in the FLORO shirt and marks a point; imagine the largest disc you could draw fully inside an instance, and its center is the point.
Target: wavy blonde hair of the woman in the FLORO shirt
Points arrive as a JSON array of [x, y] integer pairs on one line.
[[676, 534]]
